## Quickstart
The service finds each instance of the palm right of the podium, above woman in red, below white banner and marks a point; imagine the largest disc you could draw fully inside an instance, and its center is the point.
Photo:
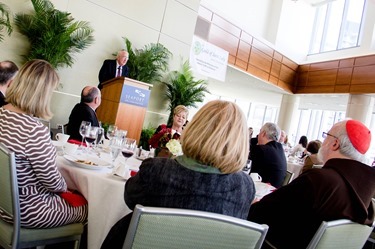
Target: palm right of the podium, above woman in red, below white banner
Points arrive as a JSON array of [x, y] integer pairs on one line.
[[183, 89]]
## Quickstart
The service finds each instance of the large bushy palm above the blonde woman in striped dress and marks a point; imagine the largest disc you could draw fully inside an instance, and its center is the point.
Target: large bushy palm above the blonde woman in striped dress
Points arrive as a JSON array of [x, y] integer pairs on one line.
[[53, 35]]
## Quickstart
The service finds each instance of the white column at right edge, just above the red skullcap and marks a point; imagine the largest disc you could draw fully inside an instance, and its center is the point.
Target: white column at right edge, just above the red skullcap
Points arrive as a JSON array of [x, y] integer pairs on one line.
[[360, 107]]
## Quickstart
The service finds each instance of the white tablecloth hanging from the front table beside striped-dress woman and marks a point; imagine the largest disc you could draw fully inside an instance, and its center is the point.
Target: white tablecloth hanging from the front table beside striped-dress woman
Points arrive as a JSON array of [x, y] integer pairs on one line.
[[104, 193]]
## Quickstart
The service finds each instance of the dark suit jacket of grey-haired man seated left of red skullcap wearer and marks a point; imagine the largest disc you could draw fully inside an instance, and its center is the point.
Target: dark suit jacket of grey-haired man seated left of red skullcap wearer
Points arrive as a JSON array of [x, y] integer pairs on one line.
[[269, 162]]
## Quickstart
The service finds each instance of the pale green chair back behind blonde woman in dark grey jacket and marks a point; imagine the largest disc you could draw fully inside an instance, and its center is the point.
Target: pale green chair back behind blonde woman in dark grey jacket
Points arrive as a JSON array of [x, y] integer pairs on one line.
[[161, 228]]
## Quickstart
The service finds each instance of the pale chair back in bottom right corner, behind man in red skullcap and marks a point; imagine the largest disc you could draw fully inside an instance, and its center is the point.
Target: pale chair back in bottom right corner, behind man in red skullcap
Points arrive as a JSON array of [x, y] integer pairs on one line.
[[341, 233]]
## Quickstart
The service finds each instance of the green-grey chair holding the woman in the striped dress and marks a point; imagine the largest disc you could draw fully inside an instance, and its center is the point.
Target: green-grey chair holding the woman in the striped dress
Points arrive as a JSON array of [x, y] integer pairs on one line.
[[12, 235]]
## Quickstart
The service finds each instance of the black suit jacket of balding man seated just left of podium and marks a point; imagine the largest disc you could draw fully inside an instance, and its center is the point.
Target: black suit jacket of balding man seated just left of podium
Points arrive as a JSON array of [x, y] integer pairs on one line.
[[81, 112]]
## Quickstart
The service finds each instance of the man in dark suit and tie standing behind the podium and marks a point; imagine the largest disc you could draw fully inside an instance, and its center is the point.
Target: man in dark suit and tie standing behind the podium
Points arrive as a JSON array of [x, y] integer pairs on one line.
[[114, 68]]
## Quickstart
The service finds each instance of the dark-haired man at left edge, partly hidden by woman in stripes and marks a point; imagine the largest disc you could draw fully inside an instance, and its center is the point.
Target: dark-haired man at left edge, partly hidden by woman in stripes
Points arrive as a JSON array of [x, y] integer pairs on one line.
[[8, 71]]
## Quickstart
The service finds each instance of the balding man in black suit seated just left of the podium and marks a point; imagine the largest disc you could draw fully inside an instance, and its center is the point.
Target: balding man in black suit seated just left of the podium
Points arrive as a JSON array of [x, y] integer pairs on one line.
[[84, 111]]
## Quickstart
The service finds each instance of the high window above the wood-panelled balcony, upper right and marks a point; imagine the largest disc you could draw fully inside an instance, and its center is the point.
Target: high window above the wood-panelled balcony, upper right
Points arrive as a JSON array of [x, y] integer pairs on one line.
[[337, 26]]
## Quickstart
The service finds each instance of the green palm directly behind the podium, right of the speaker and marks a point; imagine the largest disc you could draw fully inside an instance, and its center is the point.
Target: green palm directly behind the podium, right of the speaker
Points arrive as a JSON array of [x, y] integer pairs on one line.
[[149, 63]]
